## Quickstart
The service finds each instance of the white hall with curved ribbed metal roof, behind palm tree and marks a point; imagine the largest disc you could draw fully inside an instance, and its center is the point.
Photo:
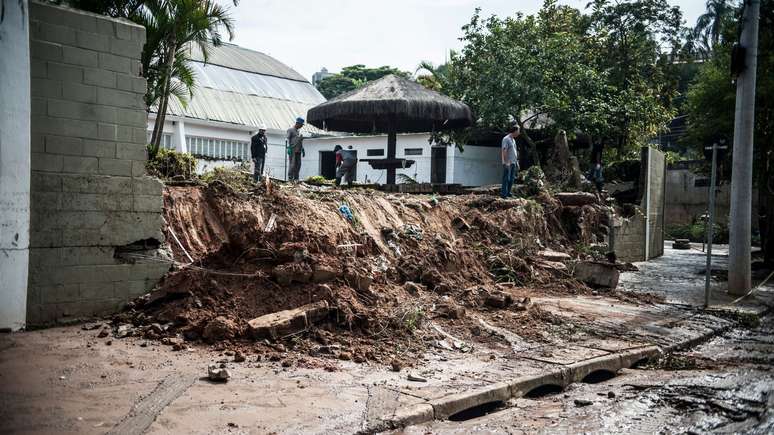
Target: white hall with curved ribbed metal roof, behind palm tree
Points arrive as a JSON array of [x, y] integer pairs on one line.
[[238, 90]]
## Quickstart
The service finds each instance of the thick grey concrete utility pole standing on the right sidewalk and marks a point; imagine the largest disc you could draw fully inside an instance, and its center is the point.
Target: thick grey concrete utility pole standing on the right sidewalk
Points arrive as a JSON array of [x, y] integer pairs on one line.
[[739, 280]]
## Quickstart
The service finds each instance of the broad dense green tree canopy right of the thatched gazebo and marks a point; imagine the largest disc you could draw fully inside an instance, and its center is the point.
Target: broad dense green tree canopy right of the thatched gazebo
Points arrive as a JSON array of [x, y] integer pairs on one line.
[[604, 73]]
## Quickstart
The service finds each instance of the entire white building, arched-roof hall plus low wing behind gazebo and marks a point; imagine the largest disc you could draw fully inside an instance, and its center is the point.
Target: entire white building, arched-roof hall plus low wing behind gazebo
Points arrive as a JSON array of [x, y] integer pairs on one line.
[[239, 89]]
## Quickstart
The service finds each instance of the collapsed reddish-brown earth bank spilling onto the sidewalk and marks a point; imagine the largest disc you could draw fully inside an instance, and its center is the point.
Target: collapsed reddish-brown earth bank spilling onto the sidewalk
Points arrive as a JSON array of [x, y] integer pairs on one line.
[[381, 265]]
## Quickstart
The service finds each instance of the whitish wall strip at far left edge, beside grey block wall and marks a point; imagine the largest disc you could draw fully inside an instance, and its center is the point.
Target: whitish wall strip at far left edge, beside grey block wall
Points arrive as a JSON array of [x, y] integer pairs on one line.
[[14, 164]]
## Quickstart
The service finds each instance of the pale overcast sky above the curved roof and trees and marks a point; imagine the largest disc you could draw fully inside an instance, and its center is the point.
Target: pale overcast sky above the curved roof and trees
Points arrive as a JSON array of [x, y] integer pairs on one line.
[[310, 34]]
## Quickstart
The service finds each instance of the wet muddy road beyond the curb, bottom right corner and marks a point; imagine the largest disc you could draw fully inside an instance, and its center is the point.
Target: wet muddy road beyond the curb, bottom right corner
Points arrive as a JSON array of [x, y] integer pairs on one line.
[[723, 386]]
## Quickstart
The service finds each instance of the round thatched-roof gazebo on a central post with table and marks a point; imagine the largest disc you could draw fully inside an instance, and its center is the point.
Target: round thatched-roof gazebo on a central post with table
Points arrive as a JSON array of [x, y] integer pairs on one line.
[[390, 105]]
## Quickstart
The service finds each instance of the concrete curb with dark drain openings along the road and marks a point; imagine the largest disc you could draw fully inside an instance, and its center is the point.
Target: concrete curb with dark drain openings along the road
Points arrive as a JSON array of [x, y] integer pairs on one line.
[[444, 407]]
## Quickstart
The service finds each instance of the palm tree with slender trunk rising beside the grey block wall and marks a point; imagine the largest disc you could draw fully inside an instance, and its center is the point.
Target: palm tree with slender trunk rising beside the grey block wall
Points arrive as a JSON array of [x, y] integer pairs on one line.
[[181, 24]]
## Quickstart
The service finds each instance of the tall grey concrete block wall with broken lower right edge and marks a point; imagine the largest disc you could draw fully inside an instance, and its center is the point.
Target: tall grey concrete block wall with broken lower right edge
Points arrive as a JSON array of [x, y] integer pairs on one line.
[[90, 194]]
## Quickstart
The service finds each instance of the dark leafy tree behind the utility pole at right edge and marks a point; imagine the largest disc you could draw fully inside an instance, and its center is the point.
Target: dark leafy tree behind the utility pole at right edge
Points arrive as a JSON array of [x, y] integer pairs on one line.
[[710, 107]]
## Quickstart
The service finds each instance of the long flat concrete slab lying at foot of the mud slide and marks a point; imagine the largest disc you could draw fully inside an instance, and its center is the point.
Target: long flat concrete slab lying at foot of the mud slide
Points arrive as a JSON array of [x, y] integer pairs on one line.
[[283, 323]]
